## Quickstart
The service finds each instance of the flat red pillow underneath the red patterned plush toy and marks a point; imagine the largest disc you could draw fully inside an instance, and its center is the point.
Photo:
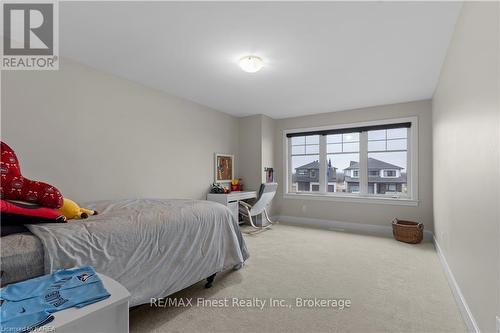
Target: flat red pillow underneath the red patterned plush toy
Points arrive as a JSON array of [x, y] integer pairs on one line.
[[16, 213]]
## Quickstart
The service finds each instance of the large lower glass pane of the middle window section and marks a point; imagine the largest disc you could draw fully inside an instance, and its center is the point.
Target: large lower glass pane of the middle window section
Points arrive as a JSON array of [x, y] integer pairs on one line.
[[338, 181]]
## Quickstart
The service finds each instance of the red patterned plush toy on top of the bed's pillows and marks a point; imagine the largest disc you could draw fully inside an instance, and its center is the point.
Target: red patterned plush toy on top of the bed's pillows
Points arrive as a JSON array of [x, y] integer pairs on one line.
[[14, 186]]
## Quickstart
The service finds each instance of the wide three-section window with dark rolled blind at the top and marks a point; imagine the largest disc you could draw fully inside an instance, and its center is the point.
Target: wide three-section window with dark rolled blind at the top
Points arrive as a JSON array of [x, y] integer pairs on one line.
[[371, 160]]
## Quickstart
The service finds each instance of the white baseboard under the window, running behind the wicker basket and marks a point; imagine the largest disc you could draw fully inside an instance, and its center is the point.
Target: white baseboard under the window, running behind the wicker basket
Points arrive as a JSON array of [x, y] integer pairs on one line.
[[377, 230]]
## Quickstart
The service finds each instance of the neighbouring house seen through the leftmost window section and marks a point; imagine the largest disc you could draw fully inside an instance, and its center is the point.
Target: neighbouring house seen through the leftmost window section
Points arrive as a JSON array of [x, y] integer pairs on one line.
[[306, 177]]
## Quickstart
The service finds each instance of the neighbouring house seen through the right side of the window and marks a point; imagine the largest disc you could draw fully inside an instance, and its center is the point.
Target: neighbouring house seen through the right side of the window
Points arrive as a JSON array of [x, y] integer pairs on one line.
[[383, 177]]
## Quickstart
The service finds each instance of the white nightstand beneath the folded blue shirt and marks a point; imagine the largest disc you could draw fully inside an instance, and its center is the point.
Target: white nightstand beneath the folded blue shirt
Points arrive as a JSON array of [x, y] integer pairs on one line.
[[109, 315]]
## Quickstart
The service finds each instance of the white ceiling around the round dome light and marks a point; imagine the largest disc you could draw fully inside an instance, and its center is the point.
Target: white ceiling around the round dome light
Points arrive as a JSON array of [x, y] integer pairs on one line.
[[320, 57]]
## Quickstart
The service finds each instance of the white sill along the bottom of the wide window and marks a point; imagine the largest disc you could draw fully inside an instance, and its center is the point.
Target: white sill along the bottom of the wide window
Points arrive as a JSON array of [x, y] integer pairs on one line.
[[352, 199]]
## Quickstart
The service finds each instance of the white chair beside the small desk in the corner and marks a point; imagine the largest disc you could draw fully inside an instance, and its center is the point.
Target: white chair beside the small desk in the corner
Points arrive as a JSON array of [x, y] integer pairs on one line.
[[266, 195]]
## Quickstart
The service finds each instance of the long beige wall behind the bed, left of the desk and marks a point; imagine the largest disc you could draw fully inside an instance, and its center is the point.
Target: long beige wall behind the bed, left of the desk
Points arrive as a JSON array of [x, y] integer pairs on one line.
[[98, 136]]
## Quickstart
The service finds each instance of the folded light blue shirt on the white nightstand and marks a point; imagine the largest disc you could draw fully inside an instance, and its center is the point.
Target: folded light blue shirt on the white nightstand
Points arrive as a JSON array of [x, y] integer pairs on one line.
[[29, 302]]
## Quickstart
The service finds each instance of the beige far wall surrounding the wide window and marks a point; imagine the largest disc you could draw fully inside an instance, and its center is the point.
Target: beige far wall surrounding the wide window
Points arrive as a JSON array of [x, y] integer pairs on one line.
[[376, 214]]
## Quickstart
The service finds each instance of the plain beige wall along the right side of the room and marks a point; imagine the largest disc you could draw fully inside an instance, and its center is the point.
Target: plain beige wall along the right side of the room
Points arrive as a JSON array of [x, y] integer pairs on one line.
[[466, 151]]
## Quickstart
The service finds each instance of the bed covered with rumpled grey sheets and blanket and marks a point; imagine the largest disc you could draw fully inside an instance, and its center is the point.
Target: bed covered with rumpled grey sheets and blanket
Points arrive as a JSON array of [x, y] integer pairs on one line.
[[152, 247]]
